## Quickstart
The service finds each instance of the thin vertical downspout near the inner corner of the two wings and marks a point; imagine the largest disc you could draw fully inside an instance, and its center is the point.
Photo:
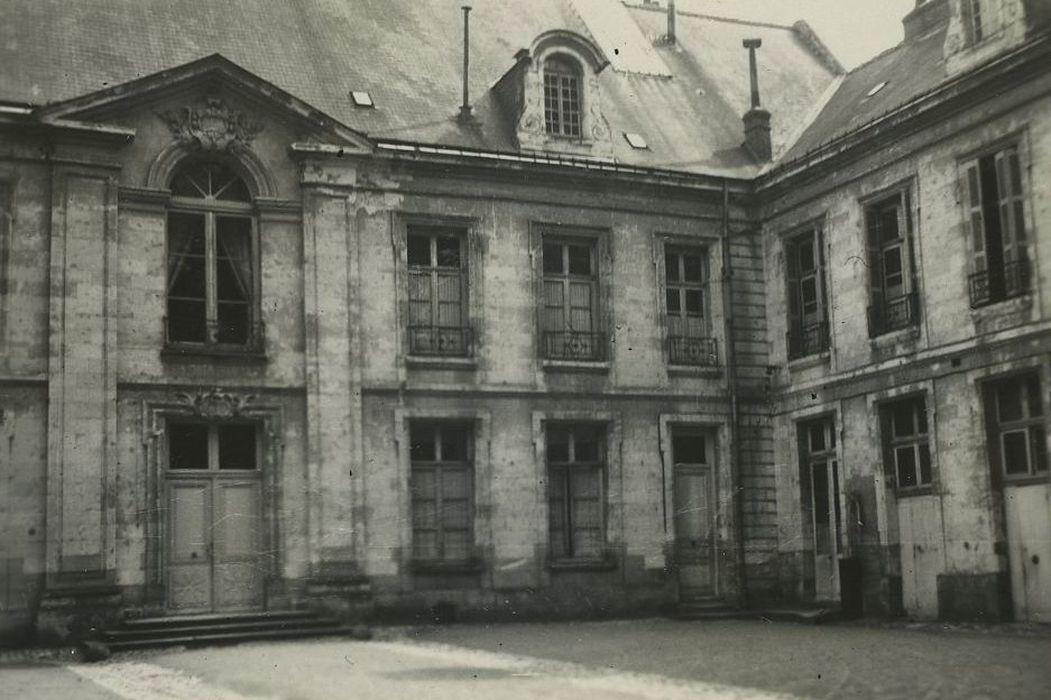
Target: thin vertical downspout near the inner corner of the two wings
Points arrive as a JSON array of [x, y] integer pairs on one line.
[[735, 420]]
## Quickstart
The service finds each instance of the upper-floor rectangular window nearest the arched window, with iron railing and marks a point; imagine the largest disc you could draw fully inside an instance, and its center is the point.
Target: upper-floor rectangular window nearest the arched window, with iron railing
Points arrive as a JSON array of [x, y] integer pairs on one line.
[[438, 292]]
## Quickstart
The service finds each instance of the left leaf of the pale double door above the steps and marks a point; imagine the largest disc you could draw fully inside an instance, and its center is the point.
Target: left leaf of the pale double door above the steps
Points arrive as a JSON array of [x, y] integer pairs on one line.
[[190, 565]]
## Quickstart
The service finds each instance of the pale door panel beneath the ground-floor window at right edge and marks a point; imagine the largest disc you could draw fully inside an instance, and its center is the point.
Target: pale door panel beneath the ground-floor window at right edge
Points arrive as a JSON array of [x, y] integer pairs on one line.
[[1028, 511]]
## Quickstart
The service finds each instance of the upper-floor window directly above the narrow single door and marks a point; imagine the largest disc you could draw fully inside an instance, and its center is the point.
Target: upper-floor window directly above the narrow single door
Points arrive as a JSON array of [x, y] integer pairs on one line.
[[686, 306]]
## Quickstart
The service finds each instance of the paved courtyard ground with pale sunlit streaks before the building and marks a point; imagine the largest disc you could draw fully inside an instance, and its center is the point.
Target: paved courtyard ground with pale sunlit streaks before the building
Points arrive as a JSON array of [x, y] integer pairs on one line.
[[650, 660]]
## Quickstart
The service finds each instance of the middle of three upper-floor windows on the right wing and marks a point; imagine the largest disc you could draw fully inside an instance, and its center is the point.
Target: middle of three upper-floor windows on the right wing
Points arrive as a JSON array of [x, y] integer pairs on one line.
[[894, 299]]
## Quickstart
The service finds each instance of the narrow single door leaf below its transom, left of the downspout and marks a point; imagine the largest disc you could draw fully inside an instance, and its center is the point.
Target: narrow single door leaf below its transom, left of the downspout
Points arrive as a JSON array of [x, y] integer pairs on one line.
[[694, 530]]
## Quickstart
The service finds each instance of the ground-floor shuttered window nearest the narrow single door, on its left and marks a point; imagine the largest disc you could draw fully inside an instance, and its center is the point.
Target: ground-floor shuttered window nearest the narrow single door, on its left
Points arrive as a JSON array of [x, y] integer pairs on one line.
[[576, 475]]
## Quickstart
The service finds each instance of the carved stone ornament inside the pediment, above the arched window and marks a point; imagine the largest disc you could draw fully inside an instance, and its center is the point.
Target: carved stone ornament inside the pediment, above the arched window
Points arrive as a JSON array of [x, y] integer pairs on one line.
[[212, 126]]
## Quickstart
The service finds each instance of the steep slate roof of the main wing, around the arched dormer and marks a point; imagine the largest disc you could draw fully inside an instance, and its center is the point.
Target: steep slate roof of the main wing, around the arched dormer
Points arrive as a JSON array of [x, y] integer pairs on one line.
[[408, 55]]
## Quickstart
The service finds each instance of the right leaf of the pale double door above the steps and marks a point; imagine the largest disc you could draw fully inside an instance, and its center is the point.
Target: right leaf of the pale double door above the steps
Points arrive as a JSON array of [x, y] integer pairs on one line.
[[236, 531]]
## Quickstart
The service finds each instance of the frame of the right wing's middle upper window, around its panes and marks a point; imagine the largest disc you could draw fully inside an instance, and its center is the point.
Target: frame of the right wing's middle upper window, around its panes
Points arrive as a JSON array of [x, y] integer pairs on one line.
[[889, 314]]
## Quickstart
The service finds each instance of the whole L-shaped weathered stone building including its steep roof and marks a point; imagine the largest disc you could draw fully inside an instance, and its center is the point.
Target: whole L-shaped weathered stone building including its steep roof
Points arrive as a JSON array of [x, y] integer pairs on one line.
[[292, 328]]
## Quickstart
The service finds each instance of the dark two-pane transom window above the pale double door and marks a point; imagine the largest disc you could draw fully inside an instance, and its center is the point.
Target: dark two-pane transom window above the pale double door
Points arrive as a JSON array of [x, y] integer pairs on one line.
[[211, 446]]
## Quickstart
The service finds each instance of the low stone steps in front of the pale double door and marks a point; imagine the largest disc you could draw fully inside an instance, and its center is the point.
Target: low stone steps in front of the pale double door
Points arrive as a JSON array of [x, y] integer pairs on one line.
[[225, 629]]
